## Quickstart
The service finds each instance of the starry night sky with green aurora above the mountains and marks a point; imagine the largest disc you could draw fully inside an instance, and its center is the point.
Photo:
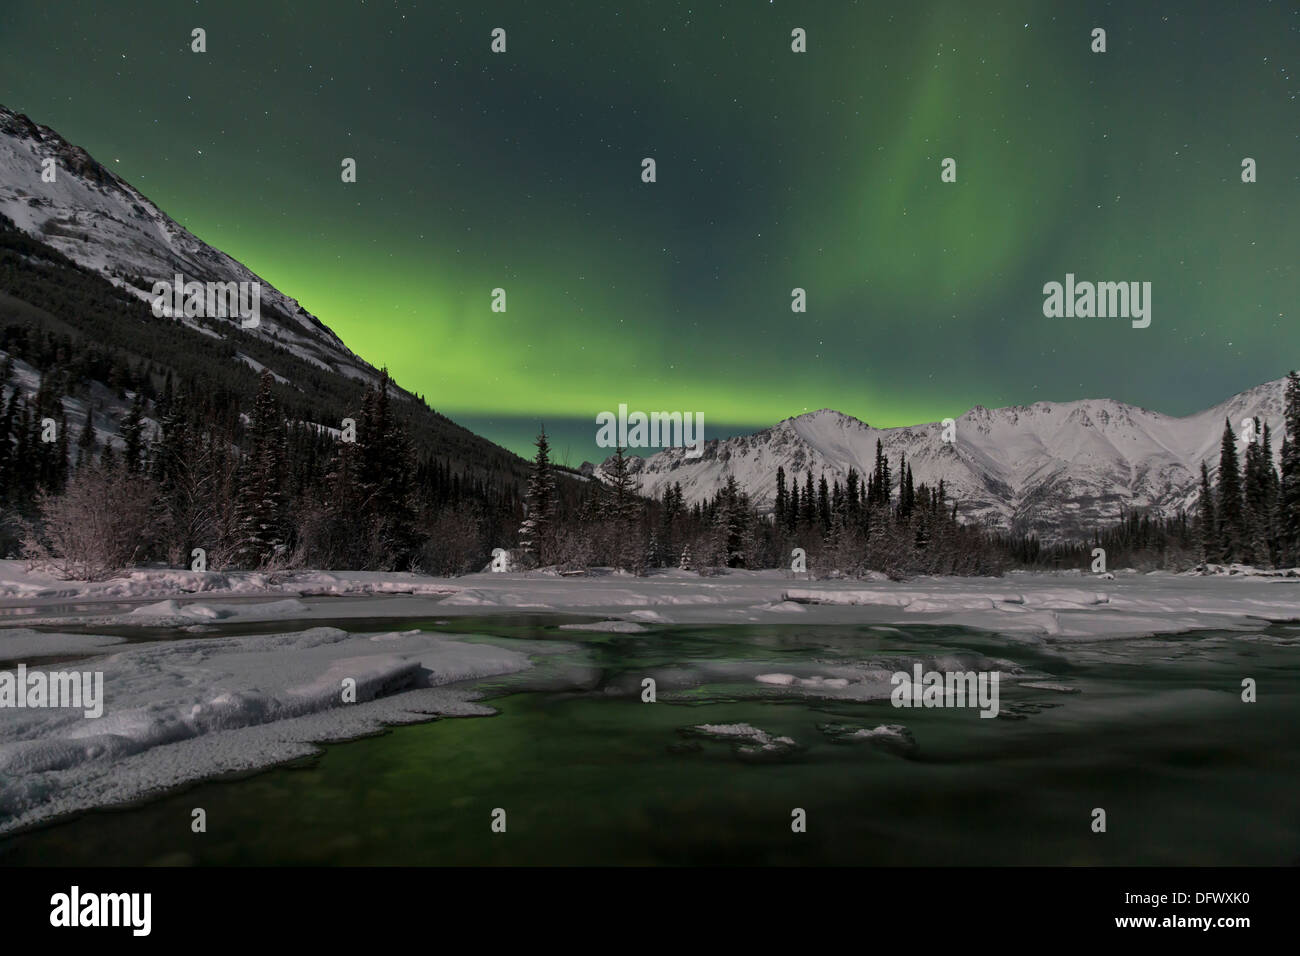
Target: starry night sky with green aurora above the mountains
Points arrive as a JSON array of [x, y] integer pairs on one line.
[[775, 170]]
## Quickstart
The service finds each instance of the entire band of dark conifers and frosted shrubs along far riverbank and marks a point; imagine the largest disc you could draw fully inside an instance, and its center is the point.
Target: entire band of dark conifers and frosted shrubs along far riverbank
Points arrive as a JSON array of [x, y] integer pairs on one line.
[[259, 491]]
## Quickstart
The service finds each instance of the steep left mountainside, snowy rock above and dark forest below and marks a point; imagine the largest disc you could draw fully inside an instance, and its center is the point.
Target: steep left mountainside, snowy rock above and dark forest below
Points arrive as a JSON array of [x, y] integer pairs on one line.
[[80, 259]]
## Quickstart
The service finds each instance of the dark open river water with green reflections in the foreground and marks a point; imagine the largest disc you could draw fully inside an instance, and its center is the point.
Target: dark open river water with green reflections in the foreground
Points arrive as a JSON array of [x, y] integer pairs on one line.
[[1154, 732]]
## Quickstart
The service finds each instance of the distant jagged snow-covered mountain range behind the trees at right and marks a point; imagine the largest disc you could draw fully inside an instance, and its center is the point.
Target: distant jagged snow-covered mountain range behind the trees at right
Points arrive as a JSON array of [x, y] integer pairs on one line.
[[1055, 469]]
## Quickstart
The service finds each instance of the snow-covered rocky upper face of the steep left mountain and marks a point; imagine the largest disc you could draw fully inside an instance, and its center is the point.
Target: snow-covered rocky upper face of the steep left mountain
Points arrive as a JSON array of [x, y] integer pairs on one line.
[[102, 223]]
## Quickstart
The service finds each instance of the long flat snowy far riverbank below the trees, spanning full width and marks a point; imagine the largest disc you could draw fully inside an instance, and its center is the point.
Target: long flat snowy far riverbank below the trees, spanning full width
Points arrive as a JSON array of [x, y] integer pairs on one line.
[[1022, 607]]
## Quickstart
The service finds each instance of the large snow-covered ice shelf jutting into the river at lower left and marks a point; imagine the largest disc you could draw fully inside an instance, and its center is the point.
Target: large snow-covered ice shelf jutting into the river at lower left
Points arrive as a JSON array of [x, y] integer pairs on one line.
[[185, 710]]
